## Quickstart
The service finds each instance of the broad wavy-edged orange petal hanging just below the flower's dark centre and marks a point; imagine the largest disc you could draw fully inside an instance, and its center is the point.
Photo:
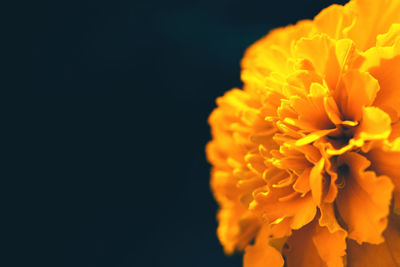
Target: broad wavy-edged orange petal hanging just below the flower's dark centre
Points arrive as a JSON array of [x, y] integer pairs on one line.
[[364, 201]]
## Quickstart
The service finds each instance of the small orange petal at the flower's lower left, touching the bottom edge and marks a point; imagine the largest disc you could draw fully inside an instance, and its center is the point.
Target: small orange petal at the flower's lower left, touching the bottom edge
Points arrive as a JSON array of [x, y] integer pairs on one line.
[[262, 254]]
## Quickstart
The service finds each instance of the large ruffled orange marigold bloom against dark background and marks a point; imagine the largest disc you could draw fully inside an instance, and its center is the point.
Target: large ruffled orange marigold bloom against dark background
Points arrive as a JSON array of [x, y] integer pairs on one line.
[[306, 158]]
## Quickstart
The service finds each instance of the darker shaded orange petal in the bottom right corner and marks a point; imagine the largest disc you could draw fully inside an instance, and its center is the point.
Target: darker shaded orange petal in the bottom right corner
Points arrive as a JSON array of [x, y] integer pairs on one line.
[[386, 254]]
